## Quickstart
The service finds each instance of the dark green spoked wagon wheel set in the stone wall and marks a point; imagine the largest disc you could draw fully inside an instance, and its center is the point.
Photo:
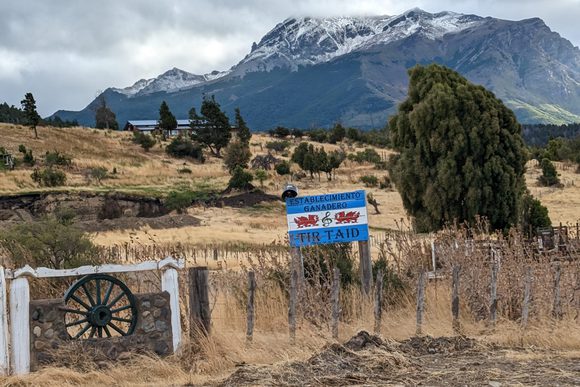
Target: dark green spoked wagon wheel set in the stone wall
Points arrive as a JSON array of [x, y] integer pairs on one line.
[[99, 305]]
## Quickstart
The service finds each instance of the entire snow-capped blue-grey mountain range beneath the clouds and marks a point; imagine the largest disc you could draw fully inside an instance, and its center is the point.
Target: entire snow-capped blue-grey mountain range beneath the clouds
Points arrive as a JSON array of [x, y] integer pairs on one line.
[[309, 72]]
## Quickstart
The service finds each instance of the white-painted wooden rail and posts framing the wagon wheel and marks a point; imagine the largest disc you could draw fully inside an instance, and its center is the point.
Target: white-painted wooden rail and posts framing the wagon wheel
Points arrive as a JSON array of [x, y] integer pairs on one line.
[[19, 331]]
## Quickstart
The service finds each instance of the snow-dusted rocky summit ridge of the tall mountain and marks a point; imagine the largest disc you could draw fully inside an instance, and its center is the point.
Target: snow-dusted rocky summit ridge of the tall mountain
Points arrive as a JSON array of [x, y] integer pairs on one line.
[[309, 41]]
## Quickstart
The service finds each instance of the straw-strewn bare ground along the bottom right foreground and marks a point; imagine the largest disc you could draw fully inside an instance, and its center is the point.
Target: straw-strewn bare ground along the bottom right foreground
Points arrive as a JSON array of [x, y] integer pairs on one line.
[[455, 361]]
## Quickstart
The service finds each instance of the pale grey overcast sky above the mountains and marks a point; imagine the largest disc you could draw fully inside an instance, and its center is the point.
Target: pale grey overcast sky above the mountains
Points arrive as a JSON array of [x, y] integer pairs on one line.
[[66, 51]]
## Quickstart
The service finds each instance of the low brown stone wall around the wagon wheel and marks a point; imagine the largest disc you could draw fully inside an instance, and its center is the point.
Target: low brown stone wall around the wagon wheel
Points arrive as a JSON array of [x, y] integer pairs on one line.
[[49, 338]]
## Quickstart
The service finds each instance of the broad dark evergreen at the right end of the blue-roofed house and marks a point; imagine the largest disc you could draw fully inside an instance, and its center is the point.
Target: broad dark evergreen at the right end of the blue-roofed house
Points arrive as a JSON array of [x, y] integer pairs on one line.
[[214, 130]]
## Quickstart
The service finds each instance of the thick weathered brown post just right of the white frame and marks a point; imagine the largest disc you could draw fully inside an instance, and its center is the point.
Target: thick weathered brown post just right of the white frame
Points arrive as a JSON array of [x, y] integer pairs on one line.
[[199, 310]]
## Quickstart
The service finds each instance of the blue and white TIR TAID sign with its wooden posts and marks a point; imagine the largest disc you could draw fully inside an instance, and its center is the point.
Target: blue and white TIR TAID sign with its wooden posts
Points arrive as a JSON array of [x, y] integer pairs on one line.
[[331, 218]]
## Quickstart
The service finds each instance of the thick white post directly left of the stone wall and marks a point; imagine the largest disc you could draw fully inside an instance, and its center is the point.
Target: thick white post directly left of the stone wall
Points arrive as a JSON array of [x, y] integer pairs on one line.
[[20, 325]]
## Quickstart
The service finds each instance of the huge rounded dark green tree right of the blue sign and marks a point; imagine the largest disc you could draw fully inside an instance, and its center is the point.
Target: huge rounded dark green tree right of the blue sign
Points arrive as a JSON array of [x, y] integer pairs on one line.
[[461, 152]]
